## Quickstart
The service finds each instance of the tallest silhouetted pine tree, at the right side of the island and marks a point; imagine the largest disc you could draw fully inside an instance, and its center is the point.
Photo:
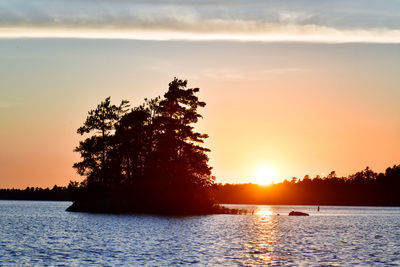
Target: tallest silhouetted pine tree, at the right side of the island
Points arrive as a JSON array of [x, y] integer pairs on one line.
[[178, 150]]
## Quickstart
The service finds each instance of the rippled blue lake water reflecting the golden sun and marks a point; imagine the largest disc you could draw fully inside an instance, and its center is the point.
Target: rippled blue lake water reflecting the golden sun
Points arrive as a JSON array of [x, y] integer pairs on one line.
[[42, 233]]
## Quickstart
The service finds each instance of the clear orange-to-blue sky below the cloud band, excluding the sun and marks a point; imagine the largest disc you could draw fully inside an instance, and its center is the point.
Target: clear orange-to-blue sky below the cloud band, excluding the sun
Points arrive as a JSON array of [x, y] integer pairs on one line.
[[301, 108]]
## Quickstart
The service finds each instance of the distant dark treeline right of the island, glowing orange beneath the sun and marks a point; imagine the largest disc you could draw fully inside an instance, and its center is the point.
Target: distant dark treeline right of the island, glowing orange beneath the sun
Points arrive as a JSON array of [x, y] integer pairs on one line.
[[364, 188]]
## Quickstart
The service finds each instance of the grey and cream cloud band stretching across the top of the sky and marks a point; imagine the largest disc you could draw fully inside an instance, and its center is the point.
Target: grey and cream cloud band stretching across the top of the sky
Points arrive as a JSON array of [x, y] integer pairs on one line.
[[235, 20]]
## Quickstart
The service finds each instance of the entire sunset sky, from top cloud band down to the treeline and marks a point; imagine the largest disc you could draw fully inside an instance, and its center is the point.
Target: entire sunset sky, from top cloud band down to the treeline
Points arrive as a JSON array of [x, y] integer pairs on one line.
[[302, 87]]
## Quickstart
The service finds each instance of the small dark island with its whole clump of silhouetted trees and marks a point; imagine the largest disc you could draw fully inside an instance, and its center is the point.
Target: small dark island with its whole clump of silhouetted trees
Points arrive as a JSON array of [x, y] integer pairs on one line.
[[148, 159]]
